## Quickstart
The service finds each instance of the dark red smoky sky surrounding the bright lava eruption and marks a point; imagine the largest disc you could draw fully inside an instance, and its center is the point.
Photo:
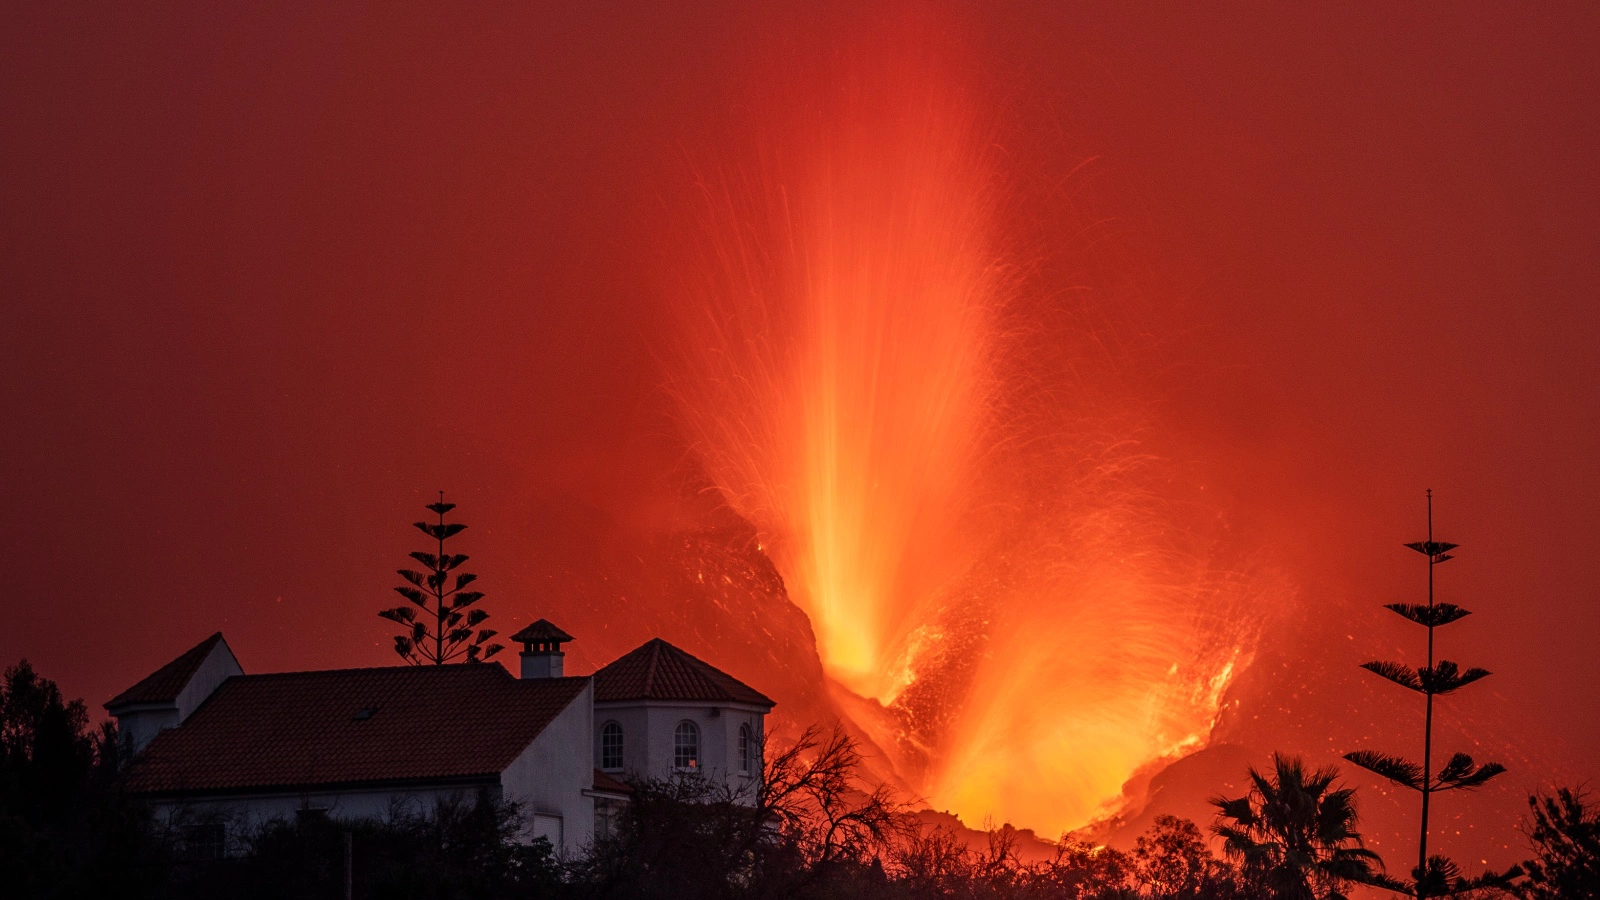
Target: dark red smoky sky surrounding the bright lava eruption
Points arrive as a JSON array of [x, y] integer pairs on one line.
[[273, 278]]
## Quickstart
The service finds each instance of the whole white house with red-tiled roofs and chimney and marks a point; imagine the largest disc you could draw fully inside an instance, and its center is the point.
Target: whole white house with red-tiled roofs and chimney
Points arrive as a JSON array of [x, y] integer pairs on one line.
[[220, 750]]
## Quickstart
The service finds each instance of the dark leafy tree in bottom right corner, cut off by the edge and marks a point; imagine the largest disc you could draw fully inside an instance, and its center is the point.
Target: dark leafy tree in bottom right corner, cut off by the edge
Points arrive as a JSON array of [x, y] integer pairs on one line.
[[1566, 837]]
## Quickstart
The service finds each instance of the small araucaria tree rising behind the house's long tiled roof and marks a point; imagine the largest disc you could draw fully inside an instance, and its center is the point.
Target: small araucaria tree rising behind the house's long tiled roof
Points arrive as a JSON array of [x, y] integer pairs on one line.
[[439, 625]]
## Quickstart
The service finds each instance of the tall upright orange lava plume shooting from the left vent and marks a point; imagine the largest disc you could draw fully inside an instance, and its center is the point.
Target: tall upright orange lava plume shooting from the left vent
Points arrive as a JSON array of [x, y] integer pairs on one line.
[[842, 396]]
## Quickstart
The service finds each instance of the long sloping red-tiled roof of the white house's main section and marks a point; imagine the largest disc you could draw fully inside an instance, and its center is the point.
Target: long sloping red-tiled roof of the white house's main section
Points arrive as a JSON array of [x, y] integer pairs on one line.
[[353, 726]]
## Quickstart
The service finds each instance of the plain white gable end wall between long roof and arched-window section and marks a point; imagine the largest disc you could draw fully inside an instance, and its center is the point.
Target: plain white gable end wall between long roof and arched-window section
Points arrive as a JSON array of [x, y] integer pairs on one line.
[[550, 779]]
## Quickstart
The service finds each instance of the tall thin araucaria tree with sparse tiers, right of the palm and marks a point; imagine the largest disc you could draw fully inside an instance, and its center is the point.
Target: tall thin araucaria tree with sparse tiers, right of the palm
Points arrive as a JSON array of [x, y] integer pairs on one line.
[[1438, 875]]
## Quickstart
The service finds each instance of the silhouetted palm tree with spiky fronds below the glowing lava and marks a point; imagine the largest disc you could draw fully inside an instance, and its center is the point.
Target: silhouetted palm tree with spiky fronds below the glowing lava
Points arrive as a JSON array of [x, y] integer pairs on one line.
[[1295, 834]]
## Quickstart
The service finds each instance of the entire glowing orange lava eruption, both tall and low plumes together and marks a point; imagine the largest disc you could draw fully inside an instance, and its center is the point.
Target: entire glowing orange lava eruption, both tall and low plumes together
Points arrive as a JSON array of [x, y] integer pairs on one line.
[[940, 459]]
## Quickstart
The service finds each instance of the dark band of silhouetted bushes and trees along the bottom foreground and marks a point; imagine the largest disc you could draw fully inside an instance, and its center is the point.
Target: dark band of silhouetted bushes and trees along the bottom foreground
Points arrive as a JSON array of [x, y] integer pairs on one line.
[[807, 832]]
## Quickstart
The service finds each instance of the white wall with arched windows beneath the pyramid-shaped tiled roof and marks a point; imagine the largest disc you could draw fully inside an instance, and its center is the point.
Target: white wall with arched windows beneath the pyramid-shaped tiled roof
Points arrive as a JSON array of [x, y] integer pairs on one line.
[[649, 731]]
